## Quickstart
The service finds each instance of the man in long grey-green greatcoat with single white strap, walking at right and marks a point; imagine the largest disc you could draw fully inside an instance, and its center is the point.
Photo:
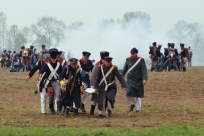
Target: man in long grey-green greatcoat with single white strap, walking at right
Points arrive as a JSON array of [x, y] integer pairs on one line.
[[136, 72]]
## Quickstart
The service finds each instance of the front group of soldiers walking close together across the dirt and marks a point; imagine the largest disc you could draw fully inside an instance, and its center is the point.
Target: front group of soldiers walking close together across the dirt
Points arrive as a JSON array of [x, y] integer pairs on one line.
[[65, 84]]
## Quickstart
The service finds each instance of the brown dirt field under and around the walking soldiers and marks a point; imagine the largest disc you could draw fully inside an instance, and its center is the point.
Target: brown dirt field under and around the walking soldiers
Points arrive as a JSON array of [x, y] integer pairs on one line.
[[170, 98]]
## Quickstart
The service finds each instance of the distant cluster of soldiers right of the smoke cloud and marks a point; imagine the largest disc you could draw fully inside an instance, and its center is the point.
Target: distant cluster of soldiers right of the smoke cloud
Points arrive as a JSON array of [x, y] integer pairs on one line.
[[171, 58]]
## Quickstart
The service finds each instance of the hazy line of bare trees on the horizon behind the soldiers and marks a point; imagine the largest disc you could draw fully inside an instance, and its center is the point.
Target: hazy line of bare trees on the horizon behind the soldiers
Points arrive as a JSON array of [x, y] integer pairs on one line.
[[51, 31]]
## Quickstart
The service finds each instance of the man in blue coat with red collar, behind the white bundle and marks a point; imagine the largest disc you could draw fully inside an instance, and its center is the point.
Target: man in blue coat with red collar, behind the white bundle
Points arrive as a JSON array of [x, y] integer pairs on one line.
[[87, 67]]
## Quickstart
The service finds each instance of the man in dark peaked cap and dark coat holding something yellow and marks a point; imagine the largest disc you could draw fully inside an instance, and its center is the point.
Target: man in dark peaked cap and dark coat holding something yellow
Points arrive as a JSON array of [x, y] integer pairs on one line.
[[71, 73]]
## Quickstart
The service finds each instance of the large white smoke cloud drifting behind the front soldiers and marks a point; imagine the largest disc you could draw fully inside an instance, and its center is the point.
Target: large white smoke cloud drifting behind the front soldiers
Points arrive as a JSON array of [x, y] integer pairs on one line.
[[117, 38]]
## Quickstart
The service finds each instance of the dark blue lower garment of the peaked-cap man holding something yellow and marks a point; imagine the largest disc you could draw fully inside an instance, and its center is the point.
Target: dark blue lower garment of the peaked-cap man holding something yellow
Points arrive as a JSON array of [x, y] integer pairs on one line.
[[75, 98]]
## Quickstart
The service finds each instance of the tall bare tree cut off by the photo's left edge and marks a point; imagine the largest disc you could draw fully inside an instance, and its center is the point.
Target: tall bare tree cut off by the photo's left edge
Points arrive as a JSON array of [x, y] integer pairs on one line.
[[3, 28]]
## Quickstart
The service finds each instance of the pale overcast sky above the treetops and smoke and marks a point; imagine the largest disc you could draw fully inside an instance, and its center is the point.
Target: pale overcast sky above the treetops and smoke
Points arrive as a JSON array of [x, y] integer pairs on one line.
[[164, 13]]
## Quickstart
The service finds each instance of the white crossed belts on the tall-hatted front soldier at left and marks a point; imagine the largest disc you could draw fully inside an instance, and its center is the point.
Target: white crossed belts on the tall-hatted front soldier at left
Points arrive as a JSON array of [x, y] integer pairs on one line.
[[53, 73]]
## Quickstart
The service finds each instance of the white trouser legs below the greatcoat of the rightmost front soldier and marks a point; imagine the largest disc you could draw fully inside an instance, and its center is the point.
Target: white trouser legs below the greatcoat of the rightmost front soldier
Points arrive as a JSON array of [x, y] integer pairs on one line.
[[135, 101]]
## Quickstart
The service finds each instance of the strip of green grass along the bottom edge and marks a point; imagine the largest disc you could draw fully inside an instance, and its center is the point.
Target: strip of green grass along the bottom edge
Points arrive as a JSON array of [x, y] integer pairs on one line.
[[166, 130]]
